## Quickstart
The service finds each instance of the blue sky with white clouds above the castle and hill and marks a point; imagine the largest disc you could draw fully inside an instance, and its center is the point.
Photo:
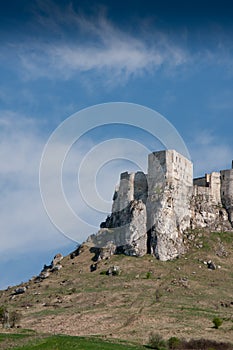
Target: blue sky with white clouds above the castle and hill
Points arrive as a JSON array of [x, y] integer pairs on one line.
[[60, 57]]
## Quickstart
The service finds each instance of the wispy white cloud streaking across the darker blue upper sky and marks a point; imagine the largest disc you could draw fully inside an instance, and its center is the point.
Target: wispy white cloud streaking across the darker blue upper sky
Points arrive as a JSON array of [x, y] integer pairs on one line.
[[64, 44]]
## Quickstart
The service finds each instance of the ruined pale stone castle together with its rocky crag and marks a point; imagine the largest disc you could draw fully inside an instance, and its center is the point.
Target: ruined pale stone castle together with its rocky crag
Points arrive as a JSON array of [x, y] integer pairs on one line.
[[151, 212]]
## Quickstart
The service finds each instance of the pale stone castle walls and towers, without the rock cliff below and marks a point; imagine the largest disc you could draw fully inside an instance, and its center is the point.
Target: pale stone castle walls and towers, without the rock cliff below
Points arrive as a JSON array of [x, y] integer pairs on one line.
[[170, 168]]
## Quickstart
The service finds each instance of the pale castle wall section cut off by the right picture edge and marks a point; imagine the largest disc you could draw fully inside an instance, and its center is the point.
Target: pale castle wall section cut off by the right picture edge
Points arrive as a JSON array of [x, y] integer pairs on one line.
[[227, 191]]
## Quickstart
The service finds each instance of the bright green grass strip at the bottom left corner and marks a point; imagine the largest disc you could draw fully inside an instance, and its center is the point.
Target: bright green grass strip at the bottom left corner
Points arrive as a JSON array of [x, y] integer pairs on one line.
[[64, 342]]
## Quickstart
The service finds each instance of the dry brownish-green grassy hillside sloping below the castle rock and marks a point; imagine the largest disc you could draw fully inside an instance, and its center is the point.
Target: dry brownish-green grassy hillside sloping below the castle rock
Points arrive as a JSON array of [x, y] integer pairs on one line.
[[176, 298]]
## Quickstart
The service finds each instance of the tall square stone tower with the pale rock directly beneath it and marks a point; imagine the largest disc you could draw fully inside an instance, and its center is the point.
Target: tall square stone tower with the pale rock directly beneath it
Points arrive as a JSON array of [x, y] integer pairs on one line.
[[170, 181]]
